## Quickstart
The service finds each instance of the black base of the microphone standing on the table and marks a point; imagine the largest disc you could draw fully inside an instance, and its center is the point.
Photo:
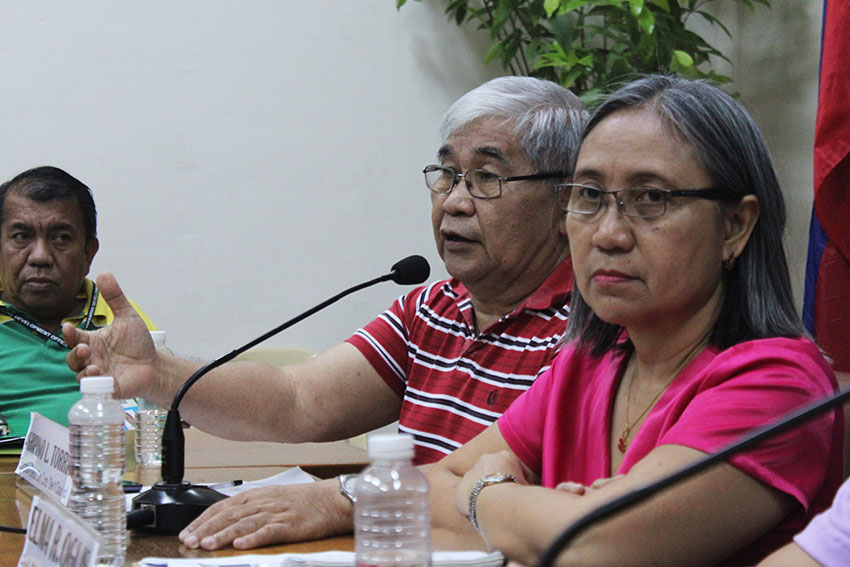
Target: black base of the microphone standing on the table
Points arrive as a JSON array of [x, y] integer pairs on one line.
[[175, 505]]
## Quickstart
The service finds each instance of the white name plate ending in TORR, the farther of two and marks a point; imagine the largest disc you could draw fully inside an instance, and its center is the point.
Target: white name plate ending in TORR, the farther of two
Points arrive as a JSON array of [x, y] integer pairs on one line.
[[45, 461]]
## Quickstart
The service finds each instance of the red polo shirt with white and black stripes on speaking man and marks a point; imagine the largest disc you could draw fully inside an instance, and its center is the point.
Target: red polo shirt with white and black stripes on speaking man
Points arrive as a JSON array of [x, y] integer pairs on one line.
[[455, 383]]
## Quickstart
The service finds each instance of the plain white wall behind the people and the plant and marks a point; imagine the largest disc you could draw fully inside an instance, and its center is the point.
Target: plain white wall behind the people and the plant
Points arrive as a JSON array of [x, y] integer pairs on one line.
[[251, 159]]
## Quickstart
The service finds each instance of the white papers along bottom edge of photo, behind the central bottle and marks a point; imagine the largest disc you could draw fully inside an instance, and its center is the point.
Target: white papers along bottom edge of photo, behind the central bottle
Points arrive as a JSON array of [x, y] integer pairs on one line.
[[324, 559]]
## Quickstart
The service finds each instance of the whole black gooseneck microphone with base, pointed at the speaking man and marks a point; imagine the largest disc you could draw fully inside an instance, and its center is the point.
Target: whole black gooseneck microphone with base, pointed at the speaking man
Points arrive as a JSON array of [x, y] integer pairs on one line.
[[176, 503]]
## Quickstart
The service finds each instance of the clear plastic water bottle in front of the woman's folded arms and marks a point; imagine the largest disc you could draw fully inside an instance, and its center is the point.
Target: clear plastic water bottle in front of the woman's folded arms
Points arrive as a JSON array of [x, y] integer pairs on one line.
[[392, 521]]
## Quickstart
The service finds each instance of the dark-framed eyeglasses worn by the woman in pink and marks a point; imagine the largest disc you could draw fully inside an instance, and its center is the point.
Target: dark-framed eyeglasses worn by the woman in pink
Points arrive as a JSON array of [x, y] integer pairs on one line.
[[642, 202]]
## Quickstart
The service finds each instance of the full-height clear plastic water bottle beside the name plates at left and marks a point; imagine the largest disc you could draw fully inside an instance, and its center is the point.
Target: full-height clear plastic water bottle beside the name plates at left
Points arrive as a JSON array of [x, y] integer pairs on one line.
[[96, 443]]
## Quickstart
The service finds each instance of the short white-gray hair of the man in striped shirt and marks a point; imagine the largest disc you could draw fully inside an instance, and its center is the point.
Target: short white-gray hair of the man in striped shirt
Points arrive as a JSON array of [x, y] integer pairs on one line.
[[547, 117]]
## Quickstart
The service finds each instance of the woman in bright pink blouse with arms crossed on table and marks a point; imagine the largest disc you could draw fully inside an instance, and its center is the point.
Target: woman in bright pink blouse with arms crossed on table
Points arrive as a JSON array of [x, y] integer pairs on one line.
[[682, 337]]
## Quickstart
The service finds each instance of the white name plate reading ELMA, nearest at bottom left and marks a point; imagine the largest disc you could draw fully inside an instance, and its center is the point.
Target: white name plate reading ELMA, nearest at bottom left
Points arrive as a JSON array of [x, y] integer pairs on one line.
[[56, 537]]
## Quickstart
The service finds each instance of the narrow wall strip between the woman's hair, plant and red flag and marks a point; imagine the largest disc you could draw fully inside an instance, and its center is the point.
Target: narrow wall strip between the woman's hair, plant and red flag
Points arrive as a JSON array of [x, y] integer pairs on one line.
[[775, 56]]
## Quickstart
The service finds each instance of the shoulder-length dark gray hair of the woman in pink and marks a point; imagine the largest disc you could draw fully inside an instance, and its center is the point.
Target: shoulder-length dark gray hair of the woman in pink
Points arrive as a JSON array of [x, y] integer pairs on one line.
[[758, 301]]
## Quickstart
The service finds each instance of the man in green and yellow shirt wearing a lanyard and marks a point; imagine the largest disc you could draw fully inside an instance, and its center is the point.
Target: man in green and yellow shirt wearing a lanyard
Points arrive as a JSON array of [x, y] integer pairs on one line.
[[48, 239]]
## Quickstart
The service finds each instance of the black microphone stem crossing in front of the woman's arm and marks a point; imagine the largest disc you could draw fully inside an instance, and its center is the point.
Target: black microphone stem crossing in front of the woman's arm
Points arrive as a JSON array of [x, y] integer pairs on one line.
[[629, 499]]
